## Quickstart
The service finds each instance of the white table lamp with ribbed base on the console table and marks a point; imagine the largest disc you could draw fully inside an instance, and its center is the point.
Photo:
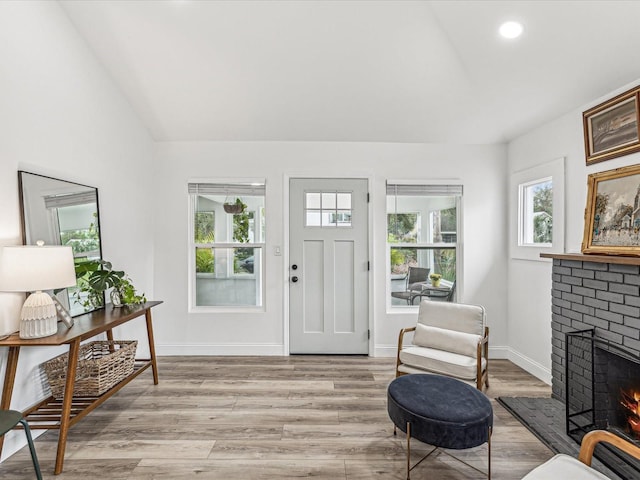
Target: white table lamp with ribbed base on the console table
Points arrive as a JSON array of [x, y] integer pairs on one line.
[[35, 268]]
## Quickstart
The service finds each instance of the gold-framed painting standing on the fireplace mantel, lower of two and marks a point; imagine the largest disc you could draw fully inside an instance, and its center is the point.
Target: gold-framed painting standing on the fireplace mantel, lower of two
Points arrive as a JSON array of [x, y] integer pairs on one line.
[[612, 216]]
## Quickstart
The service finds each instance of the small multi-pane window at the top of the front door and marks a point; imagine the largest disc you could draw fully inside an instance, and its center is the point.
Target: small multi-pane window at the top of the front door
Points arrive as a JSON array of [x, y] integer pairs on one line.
[[327, 209]]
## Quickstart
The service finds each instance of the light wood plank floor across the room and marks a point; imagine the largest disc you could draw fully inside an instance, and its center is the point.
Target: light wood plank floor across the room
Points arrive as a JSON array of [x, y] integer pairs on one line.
[[278, 418]]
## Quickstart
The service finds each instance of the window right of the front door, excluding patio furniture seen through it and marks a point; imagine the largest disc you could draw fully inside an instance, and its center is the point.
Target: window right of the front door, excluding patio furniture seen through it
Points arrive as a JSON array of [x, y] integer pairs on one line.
[[422, 231]]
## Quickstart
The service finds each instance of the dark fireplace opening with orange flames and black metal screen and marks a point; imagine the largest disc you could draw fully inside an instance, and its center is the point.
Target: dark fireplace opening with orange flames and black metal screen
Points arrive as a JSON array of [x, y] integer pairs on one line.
[[603, 392]]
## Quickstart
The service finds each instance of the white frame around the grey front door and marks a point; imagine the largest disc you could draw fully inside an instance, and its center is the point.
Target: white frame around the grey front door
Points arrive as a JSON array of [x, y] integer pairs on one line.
[[285, 253]]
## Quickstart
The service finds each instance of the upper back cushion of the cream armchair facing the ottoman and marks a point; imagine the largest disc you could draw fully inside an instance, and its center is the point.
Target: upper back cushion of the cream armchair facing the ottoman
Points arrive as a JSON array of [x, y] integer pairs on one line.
[[452, 316]]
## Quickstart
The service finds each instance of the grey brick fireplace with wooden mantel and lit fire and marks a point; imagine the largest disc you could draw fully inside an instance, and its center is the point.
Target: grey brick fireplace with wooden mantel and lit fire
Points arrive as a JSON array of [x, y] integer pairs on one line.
[[596, 347]]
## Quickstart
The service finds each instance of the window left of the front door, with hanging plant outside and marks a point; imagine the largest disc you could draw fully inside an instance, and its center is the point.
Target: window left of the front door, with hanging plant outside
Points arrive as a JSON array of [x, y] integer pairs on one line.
[[227, 236]]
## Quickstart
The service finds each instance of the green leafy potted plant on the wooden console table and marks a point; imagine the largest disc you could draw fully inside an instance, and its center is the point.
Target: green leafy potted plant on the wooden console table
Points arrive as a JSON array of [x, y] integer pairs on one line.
[[96, 277]]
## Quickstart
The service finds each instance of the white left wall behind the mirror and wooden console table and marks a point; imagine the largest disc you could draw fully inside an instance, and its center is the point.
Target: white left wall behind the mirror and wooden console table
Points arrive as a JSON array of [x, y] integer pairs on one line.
[[60, 115]]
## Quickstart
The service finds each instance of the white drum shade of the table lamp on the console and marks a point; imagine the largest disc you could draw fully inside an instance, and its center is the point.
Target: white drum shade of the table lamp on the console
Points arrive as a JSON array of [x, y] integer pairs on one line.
[[31, 268]]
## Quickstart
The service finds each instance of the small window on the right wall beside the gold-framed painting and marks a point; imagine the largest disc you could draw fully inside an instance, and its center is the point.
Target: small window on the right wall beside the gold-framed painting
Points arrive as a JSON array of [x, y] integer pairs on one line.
[[535, 208]]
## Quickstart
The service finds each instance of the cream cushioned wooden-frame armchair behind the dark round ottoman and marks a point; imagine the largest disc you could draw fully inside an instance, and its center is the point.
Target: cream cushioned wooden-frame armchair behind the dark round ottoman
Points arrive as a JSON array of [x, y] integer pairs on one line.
[[449, 339]]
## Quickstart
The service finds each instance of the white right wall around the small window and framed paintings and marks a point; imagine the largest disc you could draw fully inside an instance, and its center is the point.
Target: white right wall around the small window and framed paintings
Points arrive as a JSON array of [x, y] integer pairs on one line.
[[529, 309]]
